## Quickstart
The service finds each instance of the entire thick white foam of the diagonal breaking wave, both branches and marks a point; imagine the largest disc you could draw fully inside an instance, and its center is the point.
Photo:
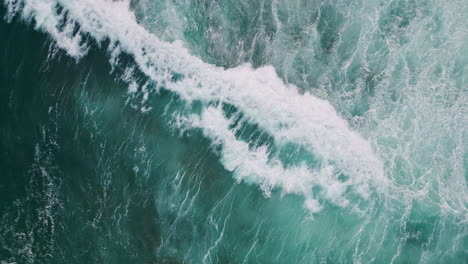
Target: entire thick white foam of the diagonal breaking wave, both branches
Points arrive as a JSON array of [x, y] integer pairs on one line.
[[264, 99]]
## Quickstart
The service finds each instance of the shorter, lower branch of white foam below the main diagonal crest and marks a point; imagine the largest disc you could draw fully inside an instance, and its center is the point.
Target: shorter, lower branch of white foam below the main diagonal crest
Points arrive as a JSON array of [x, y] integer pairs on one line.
[[255, 166]]
